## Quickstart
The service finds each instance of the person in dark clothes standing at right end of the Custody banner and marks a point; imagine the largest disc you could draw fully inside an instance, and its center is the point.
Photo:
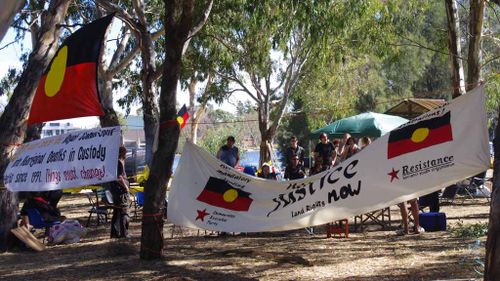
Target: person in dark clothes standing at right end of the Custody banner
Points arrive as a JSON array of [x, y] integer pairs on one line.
[[121, 199]]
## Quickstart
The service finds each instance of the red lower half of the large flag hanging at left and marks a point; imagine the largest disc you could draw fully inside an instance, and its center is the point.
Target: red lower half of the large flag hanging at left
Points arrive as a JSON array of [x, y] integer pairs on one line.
[[77, 96]]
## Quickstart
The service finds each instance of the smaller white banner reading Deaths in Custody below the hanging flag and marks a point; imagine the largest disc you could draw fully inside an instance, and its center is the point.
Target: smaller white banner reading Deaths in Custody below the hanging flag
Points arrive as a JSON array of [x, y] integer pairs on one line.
[[73, 159]]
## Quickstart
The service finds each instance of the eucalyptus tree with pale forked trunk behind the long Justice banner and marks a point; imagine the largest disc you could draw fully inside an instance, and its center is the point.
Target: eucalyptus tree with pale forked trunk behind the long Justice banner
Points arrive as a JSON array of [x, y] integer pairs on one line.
[[271, 48]]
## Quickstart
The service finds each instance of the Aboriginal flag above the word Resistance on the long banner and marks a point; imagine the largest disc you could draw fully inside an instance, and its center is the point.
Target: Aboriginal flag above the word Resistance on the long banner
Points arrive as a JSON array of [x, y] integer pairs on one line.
[[420, 135]]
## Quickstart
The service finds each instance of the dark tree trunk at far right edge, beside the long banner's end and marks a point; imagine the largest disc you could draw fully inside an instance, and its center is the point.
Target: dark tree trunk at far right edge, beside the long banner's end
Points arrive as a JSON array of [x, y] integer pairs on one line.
[[492, 258]]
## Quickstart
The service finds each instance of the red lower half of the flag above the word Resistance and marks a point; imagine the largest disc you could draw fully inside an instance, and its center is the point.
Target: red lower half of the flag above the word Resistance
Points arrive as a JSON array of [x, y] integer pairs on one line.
[[436, 136]]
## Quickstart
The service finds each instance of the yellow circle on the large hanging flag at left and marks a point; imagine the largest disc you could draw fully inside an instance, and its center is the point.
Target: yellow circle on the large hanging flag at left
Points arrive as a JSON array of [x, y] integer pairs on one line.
[[55, 77]]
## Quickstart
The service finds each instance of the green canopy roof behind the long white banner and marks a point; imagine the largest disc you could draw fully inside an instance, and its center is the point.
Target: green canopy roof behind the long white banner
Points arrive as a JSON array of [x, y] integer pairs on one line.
[[369, 124]]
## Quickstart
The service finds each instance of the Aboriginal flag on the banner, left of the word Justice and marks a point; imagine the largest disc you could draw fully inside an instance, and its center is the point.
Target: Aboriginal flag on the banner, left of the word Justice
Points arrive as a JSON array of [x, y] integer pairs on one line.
[[221, 194]]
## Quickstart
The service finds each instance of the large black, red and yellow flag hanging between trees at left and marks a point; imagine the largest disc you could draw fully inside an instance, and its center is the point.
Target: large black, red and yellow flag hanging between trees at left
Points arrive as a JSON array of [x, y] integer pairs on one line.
[[68, 88]]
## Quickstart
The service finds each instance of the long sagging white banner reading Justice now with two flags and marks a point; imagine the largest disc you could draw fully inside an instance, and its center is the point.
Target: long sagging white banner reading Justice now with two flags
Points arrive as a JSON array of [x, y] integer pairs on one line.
[[428, 153]]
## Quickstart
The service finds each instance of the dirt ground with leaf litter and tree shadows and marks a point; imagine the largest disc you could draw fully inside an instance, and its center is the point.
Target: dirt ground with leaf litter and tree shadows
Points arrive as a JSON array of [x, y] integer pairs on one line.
[[294, 255]]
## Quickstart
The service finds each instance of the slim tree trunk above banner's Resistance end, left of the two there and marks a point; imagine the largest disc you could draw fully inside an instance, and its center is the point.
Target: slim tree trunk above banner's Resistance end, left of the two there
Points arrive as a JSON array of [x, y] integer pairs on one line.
[[454, 48]]
